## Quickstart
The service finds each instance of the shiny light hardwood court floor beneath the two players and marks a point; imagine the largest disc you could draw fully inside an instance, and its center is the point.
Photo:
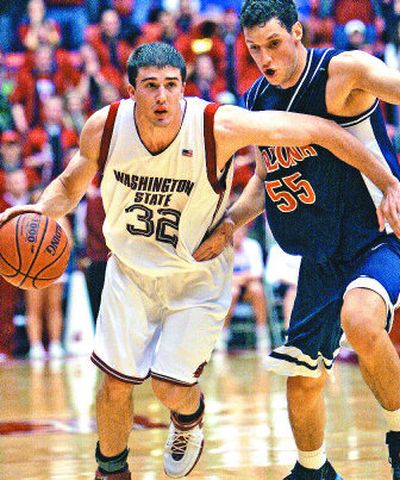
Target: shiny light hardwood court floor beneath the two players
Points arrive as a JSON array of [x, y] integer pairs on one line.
[[47, 425]]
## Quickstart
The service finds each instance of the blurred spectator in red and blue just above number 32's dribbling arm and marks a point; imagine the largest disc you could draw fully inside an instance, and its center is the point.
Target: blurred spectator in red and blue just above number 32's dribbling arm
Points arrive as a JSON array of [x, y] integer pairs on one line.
[[46, 145]]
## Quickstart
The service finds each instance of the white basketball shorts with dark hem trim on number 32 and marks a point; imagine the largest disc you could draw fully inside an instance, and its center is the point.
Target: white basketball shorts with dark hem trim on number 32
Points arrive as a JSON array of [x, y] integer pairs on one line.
[[165, 326]]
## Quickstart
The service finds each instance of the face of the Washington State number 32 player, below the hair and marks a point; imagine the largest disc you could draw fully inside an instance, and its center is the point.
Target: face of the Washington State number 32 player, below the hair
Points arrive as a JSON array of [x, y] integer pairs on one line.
[[158, 94]]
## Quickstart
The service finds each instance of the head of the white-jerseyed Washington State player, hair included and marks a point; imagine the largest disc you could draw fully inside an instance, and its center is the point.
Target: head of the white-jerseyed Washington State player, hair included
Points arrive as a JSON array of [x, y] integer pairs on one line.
[[157, 74]]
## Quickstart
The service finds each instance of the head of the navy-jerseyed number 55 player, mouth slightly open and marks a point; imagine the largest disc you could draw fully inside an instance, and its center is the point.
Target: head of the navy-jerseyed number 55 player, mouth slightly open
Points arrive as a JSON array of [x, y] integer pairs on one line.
[[273, 35]]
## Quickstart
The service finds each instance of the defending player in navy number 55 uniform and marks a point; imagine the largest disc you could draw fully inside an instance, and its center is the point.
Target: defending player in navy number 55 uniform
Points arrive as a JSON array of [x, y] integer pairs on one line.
[[324, 210]]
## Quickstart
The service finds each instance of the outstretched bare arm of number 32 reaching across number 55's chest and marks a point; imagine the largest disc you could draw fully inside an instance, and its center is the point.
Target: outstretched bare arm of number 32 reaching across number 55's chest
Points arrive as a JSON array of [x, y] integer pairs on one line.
[[237, 128]]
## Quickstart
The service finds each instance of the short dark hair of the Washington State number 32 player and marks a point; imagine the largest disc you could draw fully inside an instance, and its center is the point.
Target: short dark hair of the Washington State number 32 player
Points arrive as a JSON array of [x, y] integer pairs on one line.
[[155, 54]]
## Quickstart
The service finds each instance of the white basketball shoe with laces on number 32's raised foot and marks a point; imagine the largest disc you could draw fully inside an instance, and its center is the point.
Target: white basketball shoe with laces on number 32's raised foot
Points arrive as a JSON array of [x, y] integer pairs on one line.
[[182, 450]]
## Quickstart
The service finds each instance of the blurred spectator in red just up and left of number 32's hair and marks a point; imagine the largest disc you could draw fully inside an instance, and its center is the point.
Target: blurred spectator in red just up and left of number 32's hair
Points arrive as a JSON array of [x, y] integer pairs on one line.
[[108, 43]]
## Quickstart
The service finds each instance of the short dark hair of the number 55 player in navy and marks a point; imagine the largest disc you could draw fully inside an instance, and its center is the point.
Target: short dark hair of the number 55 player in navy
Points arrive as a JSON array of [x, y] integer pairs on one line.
[[258, 12]]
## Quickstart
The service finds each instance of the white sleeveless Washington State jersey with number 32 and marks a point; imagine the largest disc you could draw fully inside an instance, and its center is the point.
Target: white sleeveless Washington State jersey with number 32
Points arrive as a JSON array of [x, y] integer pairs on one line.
[[160, 207]]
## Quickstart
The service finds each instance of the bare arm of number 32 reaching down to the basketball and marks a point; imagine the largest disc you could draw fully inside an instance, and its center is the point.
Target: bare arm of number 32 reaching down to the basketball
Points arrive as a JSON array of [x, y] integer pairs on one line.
[[64, 192]]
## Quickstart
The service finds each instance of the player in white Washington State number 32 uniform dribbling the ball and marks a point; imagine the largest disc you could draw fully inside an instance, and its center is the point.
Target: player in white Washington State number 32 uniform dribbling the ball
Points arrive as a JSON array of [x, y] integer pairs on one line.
[[166, 163]]
